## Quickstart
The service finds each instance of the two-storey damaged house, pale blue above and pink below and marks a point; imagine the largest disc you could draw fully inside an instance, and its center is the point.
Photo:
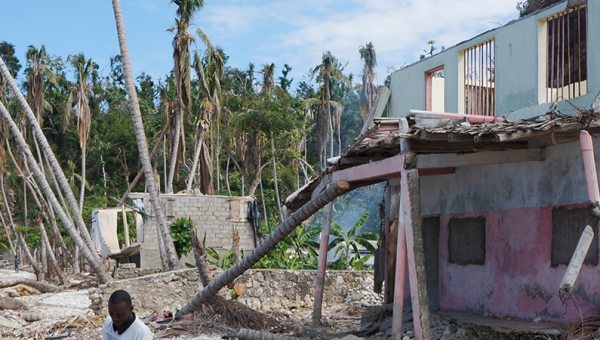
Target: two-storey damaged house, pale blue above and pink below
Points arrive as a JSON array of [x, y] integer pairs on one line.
[[487, 192]]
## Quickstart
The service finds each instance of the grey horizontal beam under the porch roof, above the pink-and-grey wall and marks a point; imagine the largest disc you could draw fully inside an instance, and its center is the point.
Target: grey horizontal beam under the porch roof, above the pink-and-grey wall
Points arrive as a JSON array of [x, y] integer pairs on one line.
[[480, 158]]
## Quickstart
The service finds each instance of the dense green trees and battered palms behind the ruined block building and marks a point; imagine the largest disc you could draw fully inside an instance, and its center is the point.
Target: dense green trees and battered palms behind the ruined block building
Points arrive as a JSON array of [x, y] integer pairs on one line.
[[228, 130]]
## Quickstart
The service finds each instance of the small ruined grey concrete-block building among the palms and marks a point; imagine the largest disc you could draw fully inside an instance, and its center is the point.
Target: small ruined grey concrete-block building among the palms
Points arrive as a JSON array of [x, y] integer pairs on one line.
[[224, 220]]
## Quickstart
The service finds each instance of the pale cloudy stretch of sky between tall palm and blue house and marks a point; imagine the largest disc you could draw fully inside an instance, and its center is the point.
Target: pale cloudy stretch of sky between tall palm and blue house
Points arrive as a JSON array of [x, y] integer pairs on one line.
[[298, 33]]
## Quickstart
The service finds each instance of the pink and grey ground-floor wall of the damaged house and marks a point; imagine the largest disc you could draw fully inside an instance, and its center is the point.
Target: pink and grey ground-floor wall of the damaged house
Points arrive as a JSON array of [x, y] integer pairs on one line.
[[516, 200]]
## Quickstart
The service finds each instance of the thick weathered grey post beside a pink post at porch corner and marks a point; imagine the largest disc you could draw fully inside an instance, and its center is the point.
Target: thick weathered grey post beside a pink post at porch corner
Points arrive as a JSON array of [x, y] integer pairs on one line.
[[411, 218]]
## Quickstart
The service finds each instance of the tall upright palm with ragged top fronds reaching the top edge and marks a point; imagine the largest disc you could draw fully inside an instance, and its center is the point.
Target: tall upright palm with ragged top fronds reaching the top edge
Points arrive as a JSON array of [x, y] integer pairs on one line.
[[181, 57]]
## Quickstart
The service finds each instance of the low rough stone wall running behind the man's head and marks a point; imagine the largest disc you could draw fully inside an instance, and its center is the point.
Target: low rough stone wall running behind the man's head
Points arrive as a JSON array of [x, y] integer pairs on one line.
[[267, 290]]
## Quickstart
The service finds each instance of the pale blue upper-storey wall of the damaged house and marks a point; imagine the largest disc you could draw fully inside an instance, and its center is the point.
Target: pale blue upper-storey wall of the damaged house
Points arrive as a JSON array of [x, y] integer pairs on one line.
[[516, 50]]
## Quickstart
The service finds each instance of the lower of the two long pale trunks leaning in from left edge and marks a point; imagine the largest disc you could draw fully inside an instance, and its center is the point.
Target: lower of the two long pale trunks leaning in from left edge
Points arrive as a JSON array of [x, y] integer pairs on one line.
[[41, 179]]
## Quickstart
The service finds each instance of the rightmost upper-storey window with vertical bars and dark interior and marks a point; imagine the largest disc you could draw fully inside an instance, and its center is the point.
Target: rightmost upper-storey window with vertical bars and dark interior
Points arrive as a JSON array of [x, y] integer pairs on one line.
[[566, 71]]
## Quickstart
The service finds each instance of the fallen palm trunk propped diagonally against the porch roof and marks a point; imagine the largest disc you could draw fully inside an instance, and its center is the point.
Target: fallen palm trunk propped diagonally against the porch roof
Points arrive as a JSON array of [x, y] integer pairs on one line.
[[266, 246]]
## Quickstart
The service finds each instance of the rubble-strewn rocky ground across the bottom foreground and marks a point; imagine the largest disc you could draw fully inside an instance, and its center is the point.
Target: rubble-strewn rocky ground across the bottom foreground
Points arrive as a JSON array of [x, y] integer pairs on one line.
[[66, 315]]
